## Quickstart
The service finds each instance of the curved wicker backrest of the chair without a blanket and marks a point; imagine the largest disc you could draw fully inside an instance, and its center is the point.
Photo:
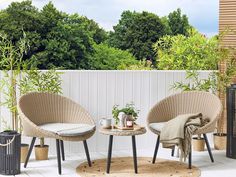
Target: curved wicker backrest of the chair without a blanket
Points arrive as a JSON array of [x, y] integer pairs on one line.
[[41, 108]]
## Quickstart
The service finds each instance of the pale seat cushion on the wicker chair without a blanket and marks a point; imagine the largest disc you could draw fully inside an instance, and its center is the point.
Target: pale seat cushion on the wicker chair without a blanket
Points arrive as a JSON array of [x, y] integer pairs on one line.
[[68, 129]]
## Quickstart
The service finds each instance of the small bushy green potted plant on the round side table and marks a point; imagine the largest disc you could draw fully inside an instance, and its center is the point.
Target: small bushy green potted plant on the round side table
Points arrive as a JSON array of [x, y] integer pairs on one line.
[[125, 117]]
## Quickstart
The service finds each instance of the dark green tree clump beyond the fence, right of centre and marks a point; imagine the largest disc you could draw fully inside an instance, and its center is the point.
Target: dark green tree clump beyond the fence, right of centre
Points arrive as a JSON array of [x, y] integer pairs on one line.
[[137, 32]]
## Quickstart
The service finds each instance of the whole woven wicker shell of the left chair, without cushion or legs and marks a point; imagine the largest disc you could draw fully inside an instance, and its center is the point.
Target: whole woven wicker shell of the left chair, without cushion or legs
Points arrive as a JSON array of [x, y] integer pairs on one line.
[[41, 108]]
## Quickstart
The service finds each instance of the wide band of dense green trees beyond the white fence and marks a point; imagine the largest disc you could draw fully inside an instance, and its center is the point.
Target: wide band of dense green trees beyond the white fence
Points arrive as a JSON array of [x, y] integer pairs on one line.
[[69, 41]]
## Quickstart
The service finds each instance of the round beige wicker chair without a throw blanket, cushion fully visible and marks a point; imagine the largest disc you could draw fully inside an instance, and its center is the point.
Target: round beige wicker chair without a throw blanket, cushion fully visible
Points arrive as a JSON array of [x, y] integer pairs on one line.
[[39, 109]]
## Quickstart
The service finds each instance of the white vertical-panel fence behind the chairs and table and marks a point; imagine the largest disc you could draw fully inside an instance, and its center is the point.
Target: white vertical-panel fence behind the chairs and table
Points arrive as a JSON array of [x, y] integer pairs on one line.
[[98, 91]]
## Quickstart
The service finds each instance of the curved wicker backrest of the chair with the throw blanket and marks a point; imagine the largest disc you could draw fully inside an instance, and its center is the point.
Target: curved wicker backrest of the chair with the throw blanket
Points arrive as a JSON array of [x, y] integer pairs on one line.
[[186, 102]]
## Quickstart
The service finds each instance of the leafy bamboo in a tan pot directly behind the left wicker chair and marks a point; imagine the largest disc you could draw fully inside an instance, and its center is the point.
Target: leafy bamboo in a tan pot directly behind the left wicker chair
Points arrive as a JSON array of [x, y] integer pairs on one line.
[[41, 81]]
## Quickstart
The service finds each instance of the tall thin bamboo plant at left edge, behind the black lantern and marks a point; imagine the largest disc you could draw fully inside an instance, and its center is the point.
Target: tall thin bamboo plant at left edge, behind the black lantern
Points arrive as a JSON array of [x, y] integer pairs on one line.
[[11, 56]]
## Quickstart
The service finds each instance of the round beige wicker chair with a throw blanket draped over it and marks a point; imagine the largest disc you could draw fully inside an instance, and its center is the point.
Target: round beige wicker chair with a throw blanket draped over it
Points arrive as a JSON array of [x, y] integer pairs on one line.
[[182, 103]]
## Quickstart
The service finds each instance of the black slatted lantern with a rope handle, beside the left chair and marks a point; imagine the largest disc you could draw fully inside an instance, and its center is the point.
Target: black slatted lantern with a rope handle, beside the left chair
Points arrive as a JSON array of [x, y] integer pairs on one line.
[[10, 146]]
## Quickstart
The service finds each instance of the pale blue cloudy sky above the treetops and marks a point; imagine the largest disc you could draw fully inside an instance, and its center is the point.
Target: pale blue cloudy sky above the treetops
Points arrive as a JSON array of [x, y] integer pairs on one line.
[[202, 14]]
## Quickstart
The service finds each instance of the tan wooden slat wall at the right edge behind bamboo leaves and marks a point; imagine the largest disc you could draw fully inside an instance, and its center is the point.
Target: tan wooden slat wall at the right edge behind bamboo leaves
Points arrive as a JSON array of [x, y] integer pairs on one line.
[[227, 27]]
